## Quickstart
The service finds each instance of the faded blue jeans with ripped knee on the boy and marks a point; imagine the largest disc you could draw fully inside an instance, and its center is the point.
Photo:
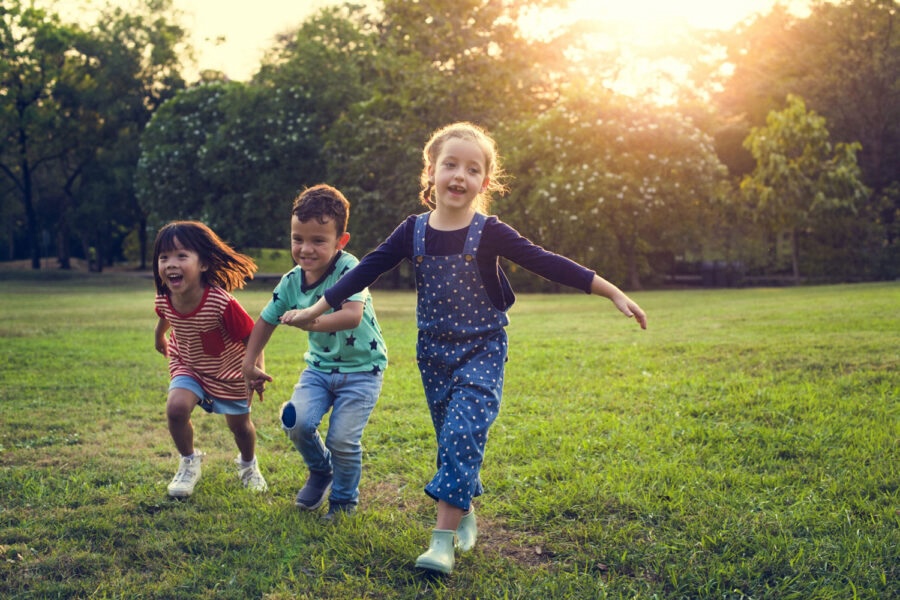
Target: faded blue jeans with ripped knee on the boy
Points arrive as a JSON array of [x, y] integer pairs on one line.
[[351, 398]]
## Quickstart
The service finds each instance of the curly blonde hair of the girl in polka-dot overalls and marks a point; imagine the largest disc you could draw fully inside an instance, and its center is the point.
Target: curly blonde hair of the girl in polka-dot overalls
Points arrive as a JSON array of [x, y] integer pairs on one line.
[[471, 133]]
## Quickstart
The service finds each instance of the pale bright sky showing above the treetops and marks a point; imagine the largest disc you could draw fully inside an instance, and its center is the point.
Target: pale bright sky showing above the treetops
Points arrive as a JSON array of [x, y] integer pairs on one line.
[[231, 36]]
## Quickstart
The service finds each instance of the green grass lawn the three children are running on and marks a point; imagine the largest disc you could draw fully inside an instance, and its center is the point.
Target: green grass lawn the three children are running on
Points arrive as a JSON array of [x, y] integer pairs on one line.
[[745, 446]]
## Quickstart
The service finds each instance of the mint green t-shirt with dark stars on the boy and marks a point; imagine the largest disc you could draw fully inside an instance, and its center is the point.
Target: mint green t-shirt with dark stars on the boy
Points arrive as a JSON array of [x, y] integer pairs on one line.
[[350, 351]]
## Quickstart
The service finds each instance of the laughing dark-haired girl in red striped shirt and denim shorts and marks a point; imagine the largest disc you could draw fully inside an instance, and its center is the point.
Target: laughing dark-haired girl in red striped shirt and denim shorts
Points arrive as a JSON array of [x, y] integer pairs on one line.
[[208, 331]]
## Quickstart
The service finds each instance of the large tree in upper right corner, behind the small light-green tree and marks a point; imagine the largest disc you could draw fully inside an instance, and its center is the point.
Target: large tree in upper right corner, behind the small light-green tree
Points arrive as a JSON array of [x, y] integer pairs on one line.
[[844, 60]]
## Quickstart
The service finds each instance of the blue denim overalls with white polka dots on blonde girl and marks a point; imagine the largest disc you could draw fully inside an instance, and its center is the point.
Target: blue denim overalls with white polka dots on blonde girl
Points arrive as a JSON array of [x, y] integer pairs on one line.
[[461, 352]]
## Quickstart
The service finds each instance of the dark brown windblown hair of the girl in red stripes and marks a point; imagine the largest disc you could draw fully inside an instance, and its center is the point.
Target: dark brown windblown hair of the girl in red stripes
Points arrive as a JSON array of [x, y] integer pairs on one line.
[[225, 267]]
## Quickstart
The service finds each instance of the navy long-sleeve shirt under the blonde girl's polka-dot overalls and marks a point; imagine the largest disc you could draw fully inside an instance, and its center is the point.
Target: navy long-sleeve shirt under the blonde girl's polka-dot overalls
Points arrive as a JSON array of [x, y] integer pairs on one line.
[[497, 240]]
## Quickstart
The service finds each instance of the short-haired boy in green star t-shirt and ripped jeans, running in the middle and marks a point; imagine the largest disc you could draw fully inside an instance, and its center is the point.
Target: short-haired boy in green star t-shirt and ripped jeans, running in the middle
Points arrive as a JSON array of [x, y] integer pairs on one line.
[[345, 360]]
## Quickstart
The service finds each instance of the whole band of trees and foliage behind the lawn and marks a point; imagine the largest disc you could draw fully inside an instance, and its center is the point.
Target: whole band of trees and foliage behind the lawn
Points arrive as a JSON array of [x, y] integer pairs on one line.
[[351, 96]]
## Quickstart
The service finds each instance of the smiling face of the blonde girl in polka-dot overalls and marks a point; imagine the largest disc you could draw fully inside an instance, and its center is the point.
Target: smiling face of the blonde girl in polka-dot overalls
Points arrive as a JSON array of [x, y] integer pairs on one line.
[[459, 174]]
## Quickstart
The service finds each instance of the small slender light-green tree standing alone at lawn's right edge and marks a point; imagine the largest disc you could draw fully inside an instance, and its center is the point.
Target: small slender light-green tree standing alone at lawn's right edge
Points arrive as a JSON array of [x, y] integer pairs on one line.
[[799, 172]]
